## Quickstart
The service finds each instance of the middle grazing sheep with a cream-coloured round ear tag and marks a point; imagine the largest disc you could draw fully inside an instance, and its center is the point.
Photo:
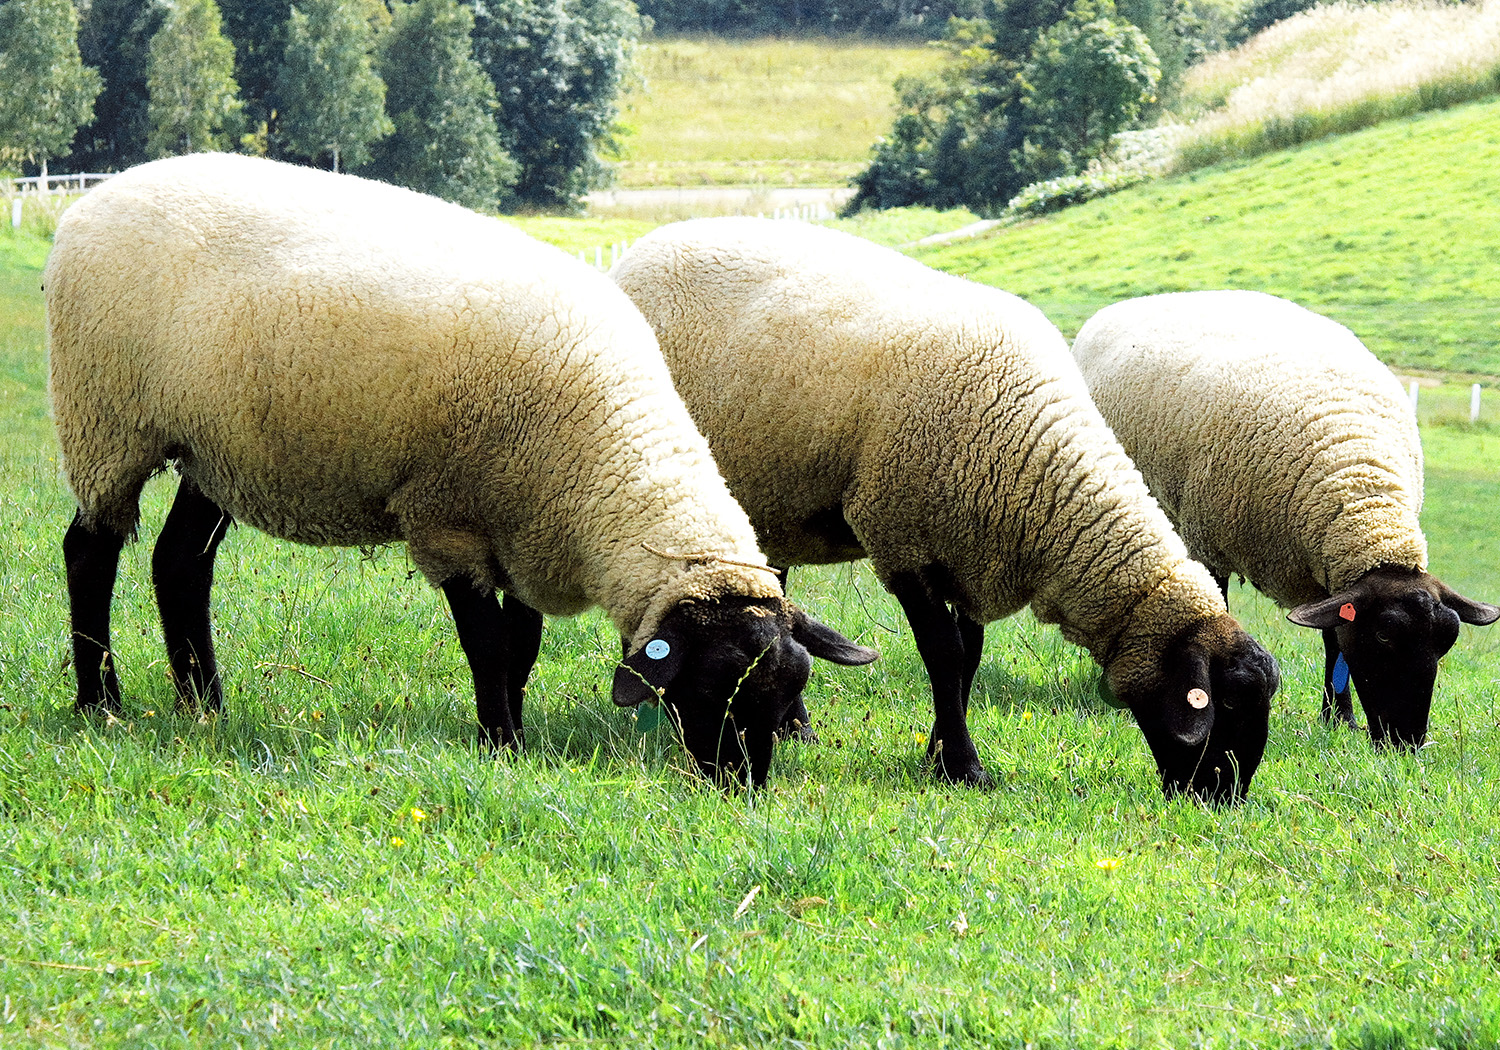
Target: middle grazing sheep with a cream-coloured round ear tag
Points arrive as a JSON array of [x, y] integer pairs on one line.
[[863, 404]]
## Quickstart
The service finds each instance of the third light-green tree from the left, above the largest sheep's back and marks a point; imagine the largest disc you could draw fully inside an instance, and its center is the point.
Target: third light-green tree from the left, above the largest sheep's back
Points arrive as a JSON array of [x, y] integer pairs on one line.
[[334, 103]]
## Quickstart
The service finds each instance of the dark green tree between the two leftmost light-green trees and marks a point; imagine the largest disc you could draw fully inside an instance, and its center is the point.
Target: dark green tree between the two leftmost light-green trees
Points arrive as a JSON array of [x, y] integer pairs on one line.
[[115, 37]]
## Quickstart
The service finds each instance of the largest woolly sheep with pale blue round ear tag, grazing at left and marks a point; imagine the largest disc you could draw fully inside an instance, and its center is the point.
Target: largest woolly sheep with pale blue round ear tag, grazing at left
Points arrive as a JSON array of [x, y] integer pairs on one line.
[[343, 362]]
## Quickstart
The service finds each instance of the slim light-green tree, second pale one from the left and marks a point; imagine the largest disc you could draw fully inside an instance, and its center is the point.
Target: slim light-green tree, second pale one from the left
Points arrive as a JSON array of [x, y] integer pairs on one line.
[[190, 74]]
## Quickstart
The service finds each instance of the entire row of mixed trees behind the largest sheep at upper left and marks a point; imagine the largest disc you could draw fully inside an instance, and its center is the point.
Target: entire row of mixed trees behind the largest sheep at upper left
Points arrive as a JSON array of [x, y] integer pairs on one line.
[[497, 104]]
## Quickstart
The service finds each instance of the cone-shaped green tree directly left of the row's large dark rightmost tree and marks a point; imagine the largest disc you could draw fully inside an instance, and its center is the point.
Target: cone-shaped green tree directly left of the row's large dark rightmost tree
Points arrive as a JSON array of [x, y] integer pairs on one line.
[[443, 109]]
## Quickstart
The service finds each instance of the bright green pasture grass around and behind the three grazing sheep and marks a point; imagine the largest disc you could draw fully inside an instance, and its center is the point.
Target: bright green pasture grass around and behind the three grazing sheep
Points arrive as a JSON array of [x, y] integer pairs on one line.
[[331, 863]]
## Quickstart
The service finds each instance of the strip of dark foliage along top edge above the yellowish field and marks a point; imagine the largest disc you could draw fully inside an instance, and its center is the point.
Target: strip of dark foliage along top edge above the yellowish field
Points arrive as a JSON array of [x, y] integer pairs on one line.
[[808, 17]]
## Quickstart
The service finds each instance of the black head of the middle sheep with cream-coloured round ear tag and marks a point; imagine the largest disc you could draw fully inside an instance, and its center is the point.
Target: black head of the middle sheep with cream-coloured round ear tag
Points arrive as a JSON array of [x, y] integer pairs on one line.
[[1205, 718]]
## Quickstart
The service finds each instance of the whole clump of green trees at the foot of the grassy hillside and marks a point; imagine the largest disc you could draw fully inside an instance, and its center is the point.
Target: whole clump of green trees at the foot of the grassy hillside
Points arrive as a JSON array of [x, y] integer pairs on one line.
[[1034, 92]]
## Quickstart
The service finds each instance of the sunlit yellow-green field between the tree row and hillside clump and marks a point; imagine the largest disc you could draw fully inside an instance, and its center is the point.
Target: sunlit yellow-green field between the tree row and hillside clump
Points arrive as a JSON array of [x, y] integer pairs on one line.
[[769, 112]]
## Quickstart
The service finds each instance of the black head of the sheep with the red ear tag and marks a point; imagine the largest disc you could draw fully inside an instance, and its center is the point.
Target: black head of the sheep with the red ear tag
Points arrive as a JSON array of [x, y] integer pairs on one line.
[[1393, 626]]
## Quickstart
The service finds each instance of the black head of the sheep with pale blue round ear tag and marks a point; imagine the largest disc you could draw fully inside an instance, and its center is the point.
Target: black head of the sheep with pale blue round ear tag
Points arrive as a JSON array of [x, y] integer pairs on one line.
[[730, 671]]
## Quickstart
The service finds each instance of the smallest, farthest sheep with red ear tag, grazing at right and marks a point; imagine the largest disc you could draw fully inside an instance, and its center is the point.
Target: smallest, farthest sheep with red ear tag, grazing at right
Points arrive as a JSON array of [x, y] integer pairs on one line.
[[1288, 455]]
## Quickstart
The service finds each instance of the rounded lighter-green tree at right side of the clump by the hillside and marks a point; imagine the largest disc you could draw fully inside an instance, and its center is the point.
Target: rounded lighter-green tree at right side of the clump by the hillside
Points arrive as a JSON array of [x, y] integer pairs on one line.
[[1088, 77]]
